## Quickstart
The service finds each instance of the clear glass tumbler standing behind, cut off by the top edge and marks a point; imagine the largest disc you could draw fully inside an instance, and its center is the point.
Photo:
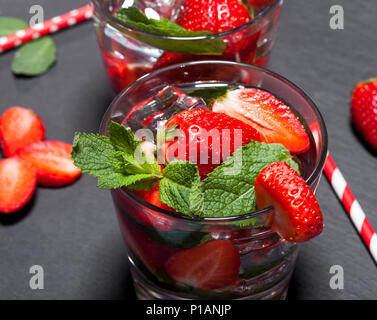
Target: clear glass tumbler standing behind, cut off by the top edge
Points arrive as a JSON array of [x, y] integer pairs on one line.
[[126, 58]]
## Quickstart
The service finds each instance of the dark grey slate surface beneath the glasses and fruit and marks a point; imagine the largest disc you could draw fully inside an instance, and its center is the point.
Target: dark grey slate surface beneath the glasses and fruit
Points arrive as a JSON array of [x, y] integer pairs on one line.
[[73, 232]]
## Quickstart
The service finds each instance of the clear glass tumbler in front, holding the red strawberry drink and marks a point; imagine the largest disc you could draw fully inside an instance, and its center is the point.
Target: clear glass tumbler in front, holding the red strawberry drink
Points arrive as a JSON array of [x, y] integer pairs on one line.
[[153, 235]]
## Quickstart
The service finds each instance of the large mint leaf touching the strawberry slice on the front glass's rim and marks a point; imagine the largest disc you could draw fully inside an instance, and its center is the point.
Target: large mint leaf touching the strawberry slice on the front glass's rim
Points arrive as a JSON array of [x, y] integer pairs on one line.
[[229, 189]]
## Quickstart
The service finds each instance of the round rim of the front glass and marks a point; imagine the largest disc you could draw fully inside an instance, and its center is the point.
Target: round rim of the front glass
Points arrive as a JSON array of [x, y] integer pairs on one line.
[[312, 177]]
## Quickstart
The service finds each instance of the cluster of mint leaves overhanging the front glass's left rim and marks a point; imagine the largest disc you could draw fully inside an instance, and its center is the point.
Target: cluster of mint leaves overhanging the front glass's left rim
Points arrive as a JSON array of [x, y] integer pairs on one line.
[[112, 159]]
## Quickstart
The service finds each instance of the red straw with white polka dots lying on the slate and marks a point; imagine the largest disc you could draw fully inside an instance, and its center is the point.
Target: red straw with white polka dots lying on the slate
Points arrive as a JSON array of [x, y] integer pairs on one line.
[[47, 27]]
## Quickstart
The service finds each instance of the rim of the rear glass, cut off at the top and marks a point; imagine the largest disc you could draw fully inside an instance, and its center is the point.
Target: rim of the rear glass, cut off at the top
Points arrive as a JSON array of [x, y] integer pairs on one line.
[[254, 21]]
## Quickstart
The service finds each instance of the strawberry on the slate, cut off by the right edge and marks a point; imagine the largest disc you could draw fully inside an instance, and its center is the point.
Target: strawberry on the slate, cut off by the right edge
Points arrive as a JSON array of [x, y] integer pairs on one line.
[[364, 110]]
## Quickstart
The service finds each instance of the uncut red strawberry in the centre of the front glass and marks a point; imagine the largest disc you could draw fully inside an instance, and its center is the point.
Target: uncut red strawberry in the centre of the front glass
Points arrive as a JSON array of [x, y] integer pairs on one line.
[[203, 133]]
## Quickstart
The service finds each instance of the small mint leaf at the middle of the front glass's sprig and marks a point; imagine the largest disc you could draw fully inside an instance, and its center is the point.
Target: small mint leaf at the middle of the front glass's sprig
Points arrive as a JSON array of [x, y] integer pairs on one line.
[[180, 188]]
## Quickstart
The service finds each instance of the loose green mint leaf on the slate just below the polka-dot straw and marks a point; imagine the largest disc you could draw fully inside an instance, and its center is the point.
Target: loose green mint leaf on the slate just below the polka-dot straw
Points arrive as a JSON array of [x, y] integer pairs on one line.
[[35, 57]]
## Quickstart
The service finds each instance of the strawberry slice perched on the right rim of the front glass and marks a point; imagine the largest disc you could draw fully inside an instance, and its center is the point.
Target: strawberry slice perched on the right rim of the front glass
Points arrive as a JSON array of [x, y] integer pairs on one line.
[[296, 216]]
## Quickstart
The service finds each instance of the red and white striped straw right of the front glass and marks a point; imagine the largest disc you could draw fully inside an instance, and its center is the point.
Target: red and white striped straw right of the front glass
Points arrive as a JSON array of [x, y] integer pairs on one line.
[[352, 206]]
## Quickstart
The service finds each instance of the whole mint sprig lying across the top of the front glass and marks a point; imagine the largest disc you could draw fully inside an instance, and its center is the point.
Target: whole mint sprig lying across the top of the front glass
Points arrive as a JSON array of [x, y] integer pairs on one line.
[[117, 160]]
